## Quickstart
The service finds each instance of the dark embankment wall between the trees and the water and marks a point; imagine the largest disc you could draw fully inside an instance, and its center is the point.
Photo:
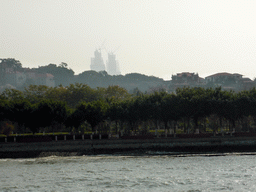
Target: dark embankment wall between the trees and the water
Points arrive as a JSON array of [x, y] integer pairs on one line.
[[108, 146]]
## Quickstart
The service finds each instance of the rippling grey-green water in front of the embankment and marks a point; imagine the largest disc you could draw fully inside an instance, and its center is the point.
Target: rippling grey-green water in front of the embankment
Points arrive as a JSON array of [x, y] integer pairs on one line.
[[230, 172]]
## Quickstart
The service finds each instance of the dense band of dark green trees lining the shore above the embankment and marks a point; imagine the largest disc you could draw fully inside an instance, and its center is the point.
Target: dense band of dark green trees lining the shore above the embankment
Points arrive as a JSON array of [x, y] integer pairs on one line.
[[79, 108]]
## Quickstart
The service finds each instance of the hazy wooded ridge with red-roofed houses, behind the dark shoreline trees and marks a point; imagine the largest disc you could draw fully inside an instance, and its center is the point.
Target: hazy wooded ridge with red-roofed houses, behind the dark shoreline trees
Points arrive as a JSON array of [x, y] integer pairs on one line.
[[14, 75]]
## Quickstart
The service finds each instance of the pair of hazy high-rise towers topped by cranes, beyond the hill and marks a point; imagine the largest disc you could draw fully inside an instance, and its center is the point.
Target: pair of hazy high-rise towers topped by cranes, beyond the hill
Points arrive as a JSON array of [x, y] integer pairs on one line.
[[112, 66]]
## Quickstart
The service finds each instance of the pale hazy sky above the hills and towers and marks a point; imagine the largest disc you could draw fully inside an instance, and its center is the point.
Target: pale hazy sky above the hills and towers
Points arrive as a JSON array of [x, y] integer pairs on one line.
[[156, 37]]
